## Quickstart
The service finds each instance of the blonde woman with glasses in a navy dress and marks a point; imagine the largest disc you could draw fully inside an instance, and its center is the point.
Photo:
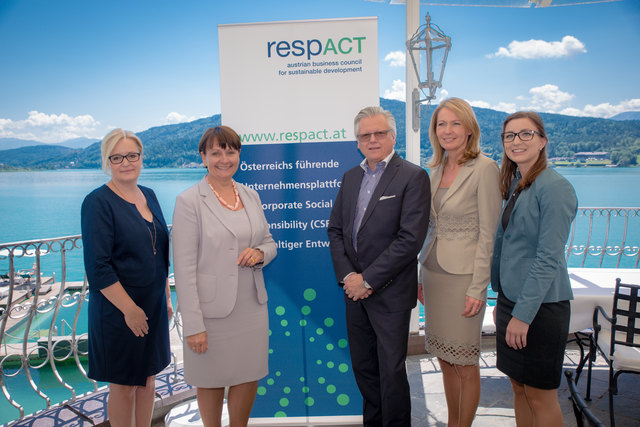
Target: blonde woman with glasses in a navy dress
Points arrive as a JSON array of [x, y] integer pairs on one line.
[[126, 258]]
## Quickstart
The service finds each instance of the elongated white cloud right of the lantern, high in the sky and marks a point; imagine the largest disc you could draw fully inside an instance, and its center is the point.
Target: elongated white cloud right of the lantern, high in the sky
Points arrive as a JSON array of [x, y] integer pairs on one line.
[[540, 49]]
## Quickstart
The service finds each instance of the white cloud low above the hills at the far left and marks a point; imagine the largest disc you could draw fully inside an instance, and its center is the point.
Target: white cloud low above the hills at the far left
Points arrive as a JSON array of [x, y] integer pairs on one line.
[[50, 128]]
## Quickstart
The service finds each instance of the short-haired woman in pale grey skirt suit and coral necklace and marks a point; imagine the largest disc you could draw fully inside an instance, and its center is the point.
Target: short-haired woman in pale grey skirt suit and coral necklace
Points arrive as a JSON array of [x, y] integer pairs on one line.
[[221, 241]]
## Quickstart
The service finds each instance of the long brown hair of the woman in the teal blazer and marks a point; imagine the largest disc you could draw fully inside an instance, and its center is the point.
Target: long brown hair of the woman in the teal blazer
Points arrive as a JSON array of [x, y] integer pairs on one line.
[[509, 167]]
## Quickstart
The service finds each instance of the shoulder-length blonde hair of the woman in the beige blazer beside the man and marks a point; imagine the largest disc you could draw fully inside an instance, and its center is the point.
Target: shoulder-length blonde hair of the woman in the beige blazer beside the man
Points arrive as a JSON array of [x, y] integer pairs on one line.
[[463, 110]]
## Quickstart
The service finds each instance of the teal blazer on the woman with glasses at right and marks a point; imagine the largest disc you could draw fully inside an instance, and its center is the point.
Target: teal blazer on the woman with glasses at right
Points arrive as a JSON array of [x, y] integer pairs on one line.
[[528, 257]]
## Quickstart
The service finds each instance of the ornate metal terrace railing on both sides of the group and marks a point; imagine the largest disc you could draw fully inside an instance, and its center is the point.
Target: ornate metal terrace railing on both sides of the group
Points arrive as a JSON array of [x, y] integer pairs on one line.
[[600, 237]]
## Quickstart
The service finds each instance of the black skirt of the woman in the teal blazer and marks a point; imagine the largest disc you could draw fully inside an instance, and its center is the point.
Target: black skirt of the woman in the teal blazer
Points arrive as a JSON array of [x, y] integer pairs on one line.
[[539, 364]]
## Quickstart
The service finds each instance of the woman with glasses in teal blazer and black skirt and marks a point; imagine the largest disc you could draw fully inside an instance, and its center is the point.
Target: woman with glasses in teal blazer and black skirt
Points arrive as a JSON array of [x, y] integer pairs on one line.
[[529, 271]]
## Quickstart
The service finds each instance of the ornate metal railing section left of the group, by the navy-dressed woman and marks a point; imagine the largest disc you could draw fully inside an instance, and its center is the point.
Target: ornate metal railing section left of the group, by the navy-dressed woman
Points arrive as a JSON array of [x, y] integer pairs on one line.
[[25, 347]]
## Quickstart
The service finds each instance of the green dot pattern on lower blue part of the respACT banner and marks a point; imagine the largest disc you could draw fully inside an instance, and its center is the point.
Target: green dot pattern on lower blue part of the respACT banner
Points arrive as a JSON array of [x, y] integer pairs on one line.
[[289, 395]]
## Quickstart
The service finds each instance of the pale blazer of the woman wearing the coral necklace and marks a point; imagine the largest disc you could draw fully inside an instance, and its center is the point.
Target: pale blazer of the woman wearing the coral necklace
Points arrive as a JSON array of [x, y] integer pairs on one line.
[[205, 251]]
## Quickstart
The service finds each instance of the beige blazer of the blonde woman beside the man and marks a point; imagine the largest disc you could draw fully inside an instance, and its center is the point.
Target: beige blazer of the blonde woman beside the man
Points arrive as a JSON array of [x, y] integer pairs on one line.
[[466, 223]]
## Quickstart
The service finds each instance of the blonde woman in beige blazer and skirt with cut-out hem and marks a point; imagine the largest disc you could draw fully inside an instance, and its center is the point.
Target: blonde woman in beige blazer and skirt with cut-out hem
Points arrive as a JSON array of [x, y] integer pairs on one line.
[[456, 256]]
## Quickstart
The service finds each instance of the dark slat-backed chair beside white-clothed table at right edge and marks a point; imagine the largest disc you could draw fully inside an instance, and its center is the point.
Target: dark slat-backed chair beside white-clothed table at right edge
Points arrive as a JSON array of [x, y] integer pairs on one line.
[[620, 349]]
